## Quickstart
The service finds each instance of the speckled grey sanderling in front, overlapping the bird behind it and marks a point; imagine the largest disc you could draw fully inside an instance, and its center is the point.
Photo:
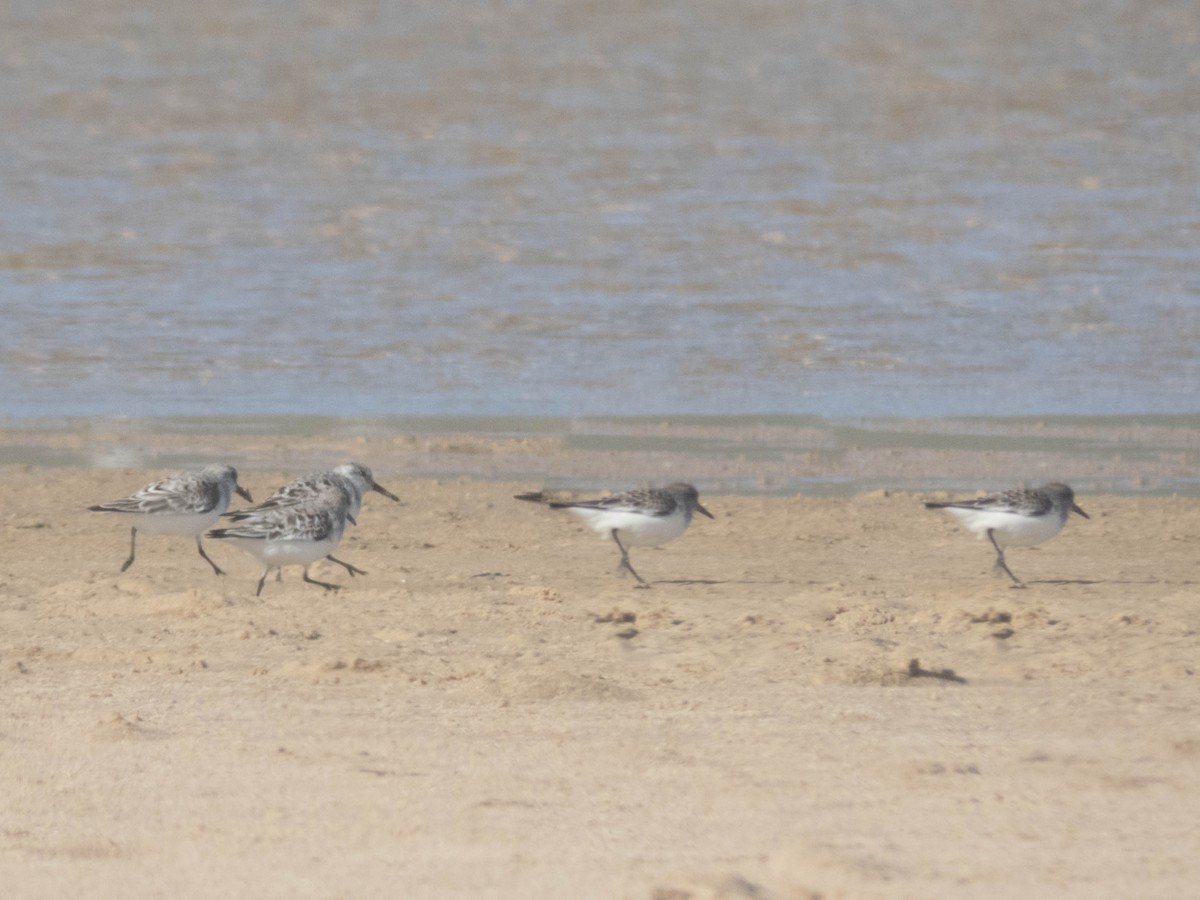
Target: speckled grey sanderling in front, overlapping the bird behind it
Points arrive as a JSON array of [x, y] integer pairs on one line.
[[298, 535]]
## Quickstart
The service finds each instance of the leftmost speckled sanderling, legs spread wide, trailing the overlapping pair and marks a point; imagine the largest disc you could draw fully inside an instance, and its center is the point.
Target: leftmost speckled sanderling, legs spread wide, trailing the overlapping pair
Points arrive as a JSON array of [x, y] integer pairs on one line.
[[184, 503]]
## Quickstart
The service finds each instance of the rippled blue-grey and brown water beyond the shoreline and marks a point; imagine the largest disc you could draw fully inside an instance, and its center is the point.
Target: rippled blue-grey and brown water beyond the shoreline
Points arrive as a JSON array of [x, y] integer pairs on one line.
[[574, 208]]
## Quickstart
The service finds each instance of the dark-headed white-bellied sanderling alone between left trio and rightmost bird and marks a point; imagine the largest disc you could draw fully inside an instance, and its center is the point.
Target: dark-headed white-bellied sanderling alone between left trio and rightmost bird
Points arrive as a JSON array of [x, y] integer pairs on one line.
[[633, 519]]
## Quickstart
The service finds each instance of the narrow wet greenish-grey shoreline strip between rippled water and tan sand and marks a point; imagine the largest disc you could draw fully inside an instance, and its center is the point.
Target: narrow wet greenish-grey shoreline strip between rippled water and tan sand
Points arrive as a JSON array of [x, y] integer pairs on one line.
[[1151, 455]]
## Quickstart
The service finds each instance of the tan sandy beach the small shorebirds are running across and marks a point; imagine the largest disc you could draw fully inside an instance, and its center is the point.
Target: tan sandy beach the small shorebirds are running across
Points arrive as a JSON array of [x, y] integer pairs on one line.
[[818, 698]]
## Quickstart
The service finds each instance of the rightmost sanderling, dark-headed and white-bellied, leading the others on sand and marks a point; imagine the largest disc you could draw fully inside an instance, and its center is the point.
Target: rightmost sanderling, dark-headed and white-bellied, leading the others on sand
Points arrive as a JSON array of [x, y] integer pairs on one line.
[[1016, 519]]
